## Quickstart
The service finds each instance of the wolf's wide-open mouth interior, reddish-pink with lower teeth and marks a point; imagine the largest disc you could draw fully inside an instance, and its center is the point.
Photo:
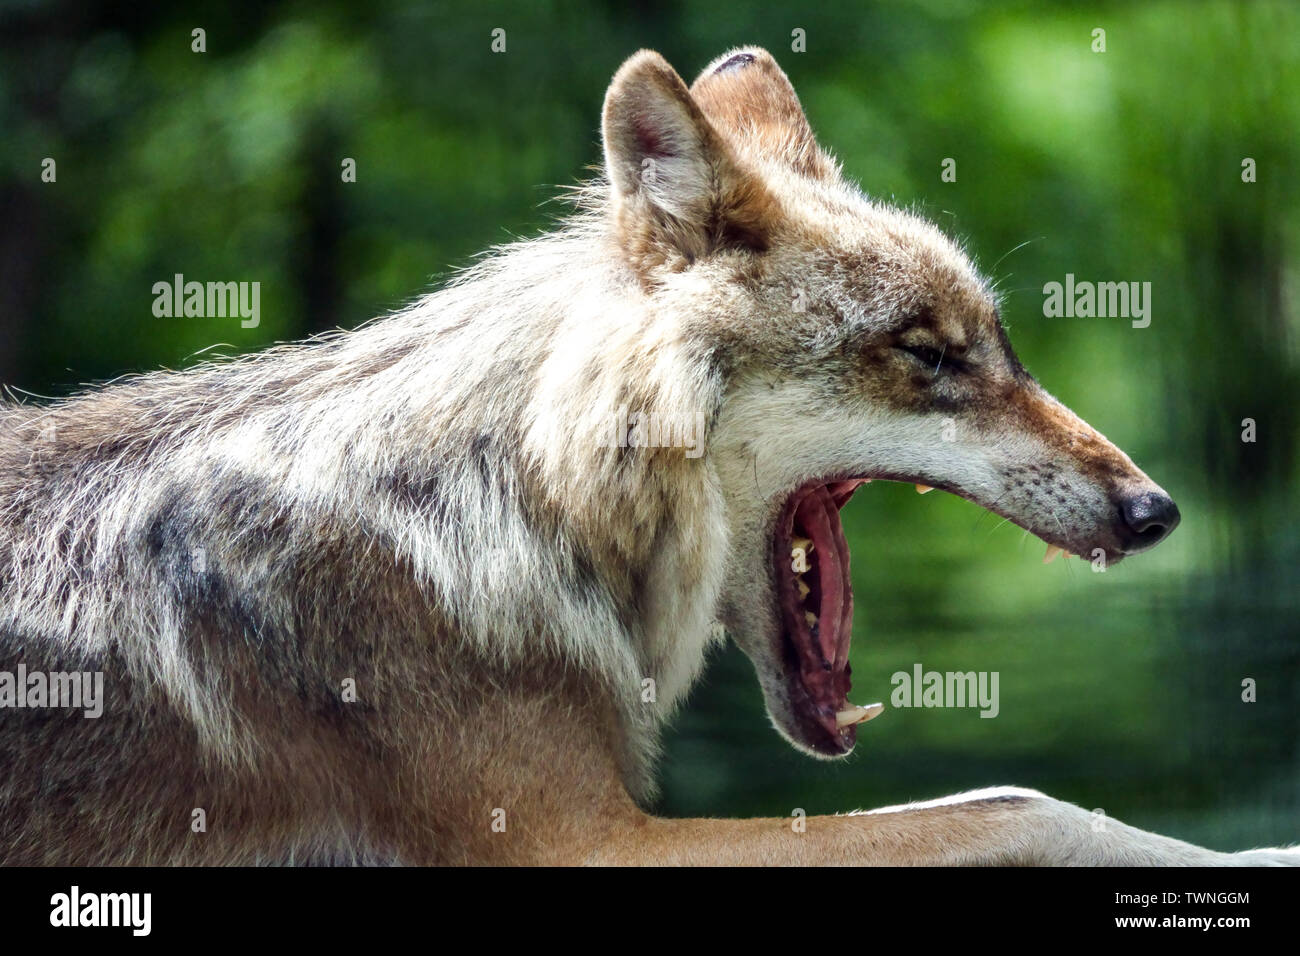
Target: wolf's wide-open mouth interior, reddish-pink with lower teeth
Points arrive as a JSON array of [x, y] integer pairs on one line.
[[816, 598]]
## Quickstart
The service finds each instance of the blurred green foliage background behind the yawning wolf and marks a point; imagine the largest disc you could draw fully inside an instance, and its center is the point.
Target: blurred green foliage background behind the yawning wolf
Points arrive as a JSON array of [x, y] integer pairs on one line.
[[1120, 691]]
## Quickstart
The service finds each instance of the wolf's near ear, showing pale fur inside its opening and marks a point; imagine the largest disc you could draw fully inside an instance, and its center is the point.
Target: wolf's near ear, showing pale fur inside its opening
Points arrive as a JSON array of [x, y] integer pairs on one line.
[[674, 179]]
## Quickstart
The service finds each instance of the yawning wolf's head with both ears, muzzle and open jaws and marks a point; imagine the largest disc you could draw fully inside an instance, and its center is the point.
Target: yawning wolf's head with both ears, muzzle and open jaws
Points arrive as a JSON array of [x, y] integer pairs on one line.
[[853, 343]]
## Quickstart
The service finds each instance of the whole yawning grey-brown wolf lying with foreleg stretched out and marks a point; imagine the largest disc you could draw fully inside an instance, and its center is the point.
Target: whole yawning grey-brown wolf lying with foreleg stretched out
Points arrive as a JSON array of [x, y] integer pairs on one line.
[[396, 595]]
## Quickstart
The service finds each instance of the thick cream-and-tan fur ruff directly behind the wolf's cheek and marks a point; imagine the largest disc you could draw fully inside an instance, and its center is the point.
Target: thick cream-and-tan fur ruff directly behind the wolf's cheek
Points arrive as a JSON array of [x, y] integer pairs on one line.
[[645, 520]]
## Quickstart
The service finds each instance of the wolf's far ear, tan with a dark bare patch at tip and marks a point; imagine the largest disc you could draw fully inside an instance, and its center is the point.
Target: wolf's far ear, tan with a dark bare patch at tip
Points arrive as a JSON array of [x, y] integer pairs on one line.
[[752, 102]]
